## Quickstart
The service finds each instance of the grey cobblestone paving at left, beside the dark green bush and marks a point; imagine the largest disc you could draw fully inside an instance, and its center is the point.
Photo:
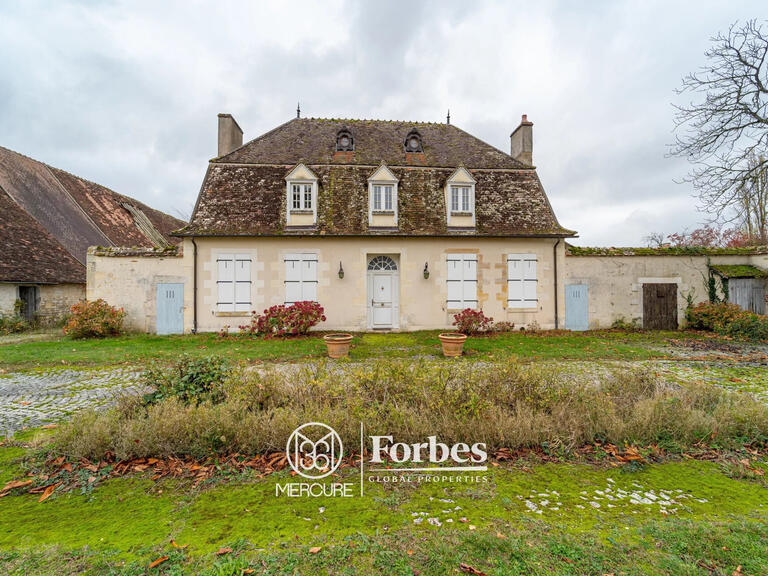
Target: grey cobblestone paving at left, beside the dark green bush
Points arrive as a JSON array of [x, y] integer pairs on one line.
[[36, 398]]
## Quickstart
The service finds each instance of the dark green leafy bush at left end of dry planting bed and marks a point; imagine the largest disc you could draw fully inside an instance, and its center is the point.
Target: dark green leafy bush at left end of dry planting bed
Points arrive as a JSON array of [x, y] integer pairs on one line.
[[188, 379]]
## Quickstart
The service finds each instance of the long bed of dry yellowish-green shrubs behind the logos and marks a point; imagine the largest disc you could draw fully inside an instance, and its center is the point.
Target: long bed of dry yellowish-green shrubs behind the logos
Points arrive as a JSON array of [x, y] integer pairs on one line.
[[504, 404]]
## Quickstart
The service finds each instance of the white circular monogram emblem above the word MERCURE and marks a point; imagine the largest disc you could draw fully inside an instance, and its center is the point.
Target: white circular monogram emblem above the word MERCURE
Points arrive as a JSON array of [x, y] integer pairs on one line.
[[314, 450]]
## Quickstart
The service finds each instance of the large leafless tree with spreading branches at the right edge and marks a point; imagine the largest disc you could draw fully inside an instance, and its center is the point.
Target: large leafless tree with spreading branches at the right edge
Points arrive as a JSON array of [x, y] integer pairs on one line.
[[723, 131]]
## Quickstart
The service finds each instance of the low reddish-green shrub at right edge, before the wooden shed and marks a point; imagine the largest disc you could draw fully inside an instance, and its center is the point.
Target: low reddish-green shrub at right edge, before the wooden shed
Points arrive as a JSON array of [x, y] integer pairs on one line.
[[727, 320]]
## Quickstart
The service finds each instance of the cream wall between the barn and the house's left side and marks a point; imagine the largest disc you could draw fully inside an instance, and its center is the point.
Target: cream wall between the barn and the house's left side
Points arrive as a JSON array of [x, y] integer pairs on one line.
[[128, 278]]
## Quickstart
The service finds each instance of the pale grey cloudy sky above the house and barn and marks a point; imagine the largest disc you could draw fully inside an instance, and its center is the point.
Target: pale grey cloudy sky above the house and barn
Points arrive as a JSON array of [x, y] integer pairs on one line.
[[126, 93]]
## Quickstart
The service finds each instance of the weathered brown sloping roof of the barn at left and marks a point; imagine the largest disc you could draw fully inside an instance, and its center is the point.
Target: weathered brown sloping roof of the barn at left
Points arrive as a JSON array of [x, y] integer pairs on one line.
[[73, 213]]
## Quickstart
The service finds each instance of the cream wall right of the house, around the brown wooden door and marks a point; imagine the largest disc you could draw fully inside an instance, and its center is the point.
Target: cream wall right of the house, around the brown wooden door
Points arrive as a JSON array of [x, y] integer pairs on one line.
[[615, 278]]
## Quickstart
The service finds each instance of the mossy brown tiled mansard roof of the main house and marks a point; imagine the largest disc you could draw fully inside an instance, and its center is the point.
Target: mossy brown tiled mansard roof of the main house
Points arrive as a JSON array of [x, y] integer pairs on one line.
[[243, 193]]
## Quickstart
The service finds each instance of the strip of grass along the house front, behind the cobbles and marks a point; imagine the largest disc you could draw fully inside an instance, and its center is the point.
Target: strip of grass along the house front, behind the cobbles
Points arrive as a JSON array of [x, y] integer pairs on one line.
[[137, 349]]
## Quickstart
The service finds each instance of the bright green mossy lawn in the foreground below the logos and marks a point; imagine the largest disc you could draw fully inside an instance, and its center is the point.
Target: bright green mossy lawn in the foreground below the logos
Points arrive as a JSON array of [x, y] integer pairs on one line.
[[530, 518]]
